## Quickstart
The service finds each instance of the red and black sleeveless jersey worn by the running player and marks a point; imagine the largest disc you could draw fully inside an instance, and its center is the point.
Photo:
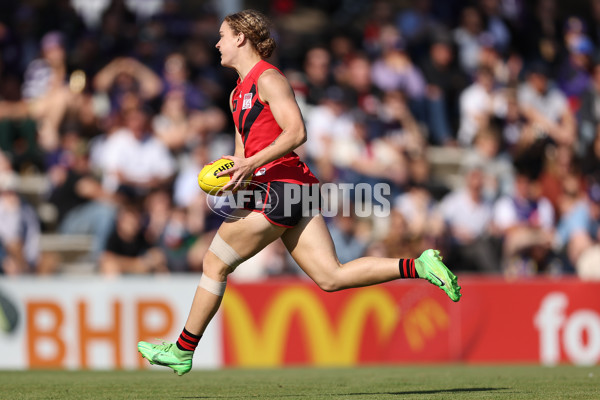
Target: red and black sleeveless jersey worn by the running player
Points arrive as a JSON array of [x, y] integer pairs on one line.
[[258, 128]]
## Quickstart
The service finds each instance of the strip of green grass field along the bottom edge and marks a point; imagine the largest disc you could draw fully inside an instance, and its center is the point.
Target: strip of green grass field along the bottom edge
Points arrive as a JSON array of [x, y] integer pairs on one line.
[[420, 382]]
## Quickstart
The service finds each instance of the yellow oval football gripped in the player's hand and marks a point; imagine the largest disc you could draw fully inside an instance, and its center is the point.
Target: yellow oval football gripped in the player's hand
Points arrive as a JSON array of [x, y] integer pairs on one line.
[[229, 173]]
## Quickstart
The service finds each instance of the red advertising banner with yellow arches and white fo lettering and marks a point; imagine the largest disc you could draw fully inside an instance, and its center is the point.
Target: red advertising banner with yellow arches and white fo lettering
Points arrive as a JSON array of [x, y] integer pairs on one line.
[[290, 323]]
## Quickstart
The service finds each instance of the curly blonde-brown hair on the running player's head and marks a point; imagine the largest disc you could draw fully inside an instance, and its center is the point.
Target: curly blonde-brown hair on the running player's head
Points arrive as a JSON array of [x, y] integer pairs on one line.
[[256, 27]]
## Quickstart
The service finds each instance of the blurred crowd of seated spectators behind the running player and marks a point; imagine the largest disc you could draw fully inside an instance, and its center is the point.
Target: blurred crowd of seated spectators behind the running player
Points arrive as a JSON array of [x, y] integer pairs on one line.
[[482, 116]]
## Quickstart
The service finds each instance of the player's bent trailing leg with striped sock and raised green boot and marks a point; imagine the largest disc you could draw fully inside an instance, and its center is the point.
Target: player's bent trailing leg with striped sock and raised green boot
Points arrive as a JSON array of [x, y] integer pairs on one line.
[[311, 246]]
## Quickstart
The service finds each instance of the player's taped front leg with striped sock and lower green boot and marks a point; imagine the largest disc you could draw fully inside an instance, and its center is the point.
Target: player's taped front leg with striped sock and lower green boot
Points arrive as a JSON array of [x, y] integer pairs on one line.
[[238, 239]]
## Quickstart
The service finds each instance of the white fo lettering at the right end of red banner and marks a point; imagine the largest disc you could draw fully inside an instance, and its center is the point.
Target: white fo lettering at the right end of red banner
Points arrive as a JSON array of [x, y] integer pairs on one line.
[[578, 334]]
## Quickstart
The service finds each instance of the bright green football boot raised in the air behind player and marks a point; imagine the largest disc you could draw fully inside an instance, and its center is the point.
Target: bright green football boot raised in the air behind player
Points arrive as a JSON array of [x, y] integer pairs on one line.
[[430, 266]]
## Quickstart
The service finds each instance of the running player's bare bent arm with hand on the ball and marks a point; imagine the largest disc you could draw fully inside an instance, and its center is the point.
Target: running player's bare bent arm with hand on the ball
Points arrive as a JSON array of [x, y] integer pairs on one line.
[[274, 90]]
